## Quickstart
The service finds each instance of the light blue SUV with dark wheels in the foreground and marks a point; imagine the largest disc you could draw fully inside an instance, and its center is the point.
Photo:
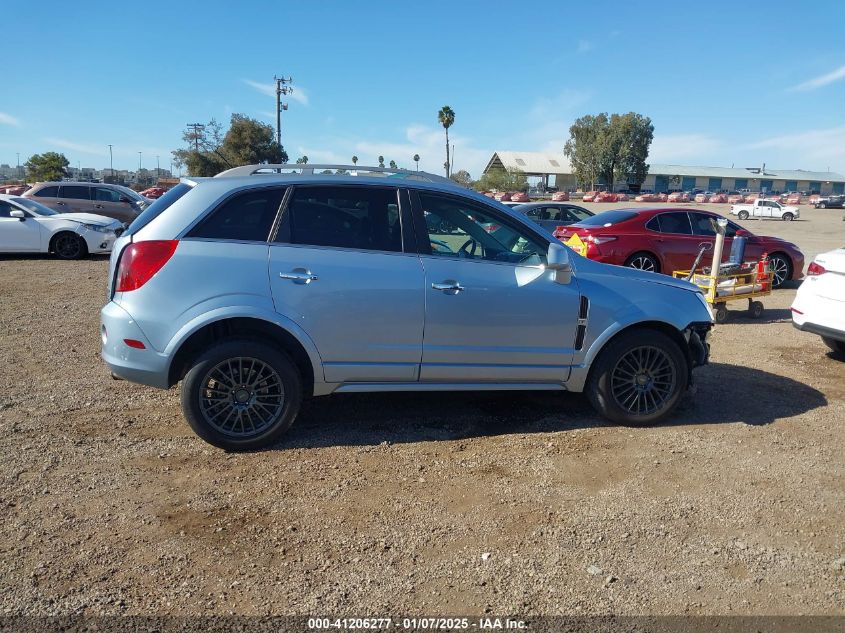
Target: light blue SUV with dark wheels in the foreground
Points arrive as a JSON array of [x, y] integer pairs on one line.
[[258, 287]]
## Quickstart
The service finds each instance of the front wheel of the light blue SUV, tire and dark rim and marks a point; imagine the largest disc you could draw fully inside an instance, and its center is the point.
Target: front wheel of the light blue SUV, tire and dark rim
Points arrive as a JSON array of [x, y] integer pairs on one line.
[[612, 385]]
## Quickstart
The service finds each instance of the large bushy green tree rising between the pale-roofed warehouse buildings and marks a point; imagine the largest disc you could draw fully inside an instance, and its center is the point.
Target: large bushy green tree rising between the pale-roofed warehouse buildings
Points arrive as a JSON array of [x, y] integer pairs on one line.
[[610, 148]]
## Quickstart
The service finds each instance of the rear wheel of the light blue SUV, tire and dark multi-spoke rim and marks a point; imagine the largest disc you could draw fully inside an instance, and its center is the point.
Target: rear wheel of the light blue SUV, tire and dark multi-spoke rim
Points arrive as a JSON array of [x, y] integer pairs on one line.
[[266, 394]]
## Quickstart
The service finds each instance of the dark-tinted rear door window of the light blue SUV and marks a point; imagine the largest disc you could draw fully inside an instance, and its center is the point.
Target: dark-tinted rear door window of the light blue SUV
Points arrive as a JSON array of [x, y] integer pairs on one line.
[[360, 218]]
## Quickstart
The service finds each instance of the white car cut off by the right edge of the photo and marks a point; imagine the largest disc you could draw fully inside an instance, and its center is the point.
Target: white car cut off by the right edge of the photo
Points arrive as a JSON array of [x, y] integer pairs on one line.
[[819, 305]]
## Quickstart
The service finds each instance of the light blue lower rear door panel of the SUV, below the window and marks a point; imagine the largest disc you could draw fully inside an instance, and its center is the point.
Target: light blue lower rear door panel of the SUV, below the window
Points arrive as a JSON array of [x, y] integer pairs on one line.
[[364, 311]]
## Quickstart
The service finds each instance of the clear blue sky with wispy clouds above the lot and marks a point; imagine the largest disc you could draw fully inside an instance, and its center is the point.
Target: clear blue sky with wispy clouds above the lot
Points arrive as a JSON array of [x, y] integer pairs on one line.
[[724, 82]]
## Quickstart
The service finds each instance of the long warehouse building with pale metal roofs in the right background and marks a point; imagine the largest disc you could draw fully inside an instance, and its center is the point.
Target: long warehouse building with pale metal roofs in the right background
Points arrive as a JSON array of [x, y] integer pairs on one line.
[[553, 170]]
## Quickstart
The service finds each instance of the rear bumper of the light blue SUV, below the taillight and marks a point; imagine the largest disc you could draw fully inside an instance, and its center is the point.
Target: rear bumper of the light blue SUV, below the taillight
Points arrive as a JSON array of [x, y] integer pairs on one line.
[[144, 366]]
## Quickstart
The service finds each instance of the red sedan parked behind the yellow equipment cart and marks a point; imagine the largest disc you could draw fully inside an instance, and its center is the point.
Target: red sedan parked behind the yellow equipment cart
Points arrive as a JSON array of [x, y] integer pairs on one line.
[[665, 240]]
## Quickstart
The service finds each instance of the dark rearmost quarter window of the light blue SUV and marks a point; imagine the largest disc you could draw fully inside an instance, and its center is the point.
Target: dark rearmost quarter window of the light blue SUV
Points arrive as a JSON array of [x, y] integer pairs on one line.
[[245, 217]]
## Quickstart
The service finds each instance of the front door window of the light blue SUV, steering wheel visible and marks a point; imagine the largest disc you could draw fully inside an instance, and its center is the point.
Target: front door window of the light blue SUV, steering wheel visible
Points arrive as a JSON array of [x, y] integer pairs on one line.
[[461, 229]]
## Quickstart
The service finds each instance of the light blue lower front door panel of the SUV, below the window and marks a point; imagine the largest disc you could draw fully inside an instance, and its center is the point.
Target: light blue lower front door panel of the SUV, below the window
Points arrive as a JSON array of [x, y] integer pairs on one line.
[[508, 324]]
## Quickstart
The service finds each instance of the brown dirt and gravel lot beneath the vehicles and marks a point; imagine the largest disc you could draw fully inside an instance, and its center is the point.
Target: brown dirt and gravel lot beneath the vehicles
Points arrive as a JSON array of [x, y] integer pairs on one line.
[[420, 504]]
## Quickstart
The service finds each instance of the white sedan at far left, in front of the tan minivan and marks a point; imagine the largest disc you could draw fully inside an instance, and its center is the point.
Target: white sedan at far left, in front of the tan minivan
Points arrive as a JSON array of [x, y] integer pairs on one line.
[[27, 226]]
